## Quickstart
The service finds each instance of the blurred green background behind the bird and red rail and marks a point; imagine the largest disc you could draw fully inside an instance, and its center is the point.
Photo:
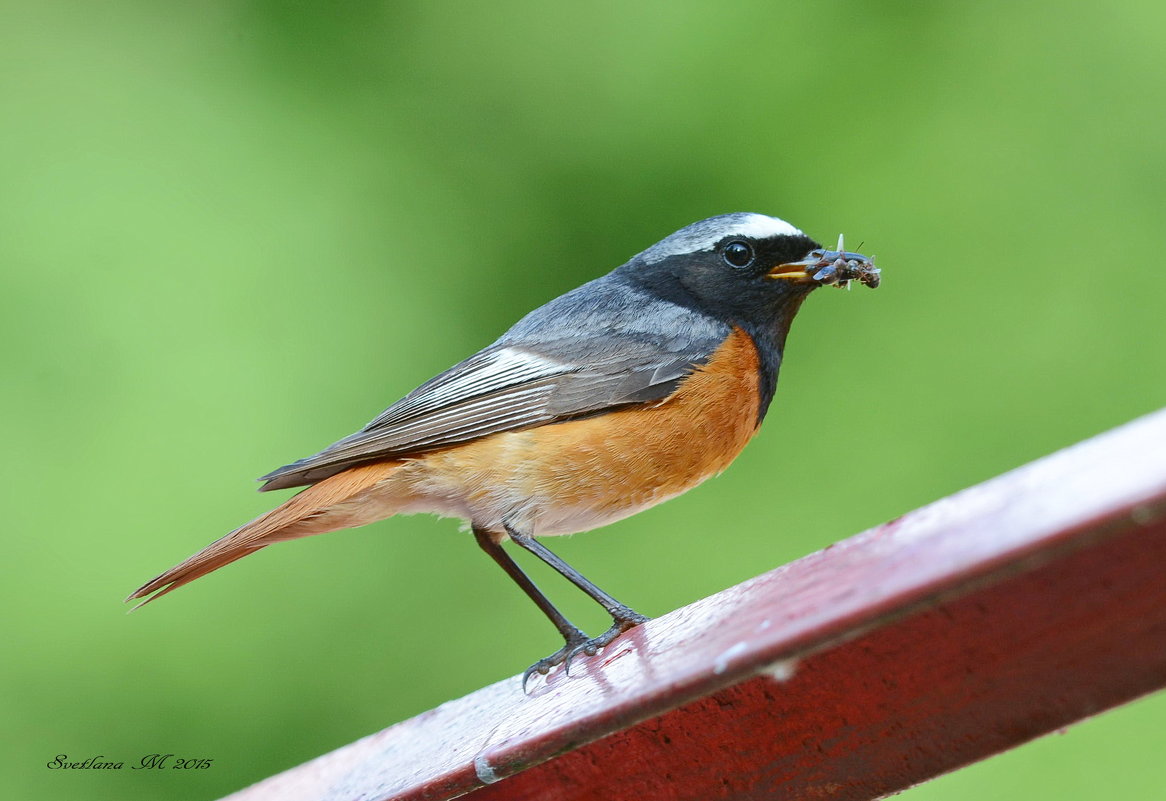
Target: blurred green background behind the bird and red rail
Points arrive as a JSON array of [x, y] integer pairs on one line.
[[233, 233]]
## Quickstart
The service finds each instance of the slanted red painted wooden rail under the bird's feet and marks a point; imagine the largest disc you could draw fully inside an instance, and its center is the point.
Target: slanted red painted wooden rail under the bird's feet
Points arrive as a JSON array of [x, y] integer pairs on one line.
[[952, 634]]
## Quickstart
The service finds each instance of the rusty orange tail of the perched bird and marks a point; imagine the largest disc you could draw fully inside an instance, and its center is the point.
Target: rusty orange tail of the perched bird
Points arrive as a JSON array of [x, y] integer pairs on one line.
[[339, 502]]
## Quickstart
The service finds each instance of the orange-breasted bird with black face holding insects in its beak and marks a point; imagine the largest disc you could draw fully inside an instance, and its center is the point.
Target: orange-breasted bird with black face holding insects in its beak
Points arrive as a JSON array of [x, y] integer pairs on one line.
[[615, 397]]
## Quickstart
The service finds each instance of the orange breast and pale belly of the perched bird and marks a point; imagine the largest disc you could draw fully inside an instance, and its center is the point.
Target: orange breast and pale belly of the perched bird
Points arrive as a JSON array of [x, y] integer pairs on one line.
[[578, 475]]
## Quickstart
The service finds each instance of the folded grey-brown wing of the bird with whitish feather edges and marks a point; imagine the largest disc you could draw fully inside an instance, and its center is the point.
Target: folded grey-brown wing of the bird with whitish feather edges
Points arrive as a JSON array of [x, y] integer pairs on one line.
[[507, 388]]
